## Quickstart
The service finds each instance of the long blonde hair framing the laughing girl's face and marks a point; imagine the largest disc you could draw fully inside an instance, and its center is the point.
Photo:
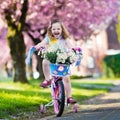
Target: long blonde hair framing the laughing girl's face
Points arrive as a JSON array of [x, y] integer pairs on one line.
[[65, 33]]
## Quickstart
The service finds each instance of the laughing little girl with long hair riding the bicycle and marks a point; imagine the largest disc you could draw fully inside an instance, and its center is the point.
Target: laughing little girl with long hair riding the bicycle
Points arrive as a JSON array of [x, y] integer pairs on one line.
[[57, 35]]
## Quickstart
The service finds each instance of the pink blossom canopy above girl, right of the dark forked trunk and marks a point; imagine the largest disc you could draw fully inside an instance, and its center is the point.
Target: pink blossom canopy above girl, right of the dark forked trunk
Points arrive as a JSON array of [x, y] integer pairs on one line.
[[81, 17]]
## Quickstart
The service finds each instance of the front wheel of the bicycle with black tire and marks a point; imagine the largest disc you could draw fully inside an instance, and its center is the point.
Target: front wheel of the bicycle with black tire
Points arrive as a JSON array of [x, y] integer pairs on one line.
[[59, 101]]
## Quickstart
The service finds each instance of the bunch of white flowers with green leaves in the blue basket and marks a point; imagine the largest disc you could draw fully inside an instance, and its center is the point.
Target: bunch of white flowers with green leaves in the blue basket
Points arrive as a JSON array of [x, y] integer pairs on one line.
[[59, 56]]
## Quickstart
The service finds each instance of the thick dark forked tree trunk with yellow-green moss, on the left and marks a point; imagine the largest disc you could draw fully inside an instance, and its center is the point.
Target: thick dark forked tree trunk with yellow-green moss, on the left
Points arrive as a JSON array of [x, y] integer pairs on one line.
[[16, 41]]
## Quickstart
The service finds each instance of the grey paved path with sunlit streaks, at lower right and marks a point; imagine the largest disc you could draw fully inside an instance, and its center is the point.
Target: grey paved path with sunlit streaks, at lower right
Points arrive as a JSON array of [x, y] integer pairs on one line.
[[103, 107]]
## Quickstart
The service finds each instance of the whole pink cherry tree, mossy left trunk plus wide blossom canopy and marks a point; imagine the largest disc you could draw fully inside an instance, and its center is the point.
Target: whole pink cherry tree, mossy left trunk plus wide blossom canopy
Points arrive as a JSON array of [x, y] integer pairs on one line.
[[81, 17]]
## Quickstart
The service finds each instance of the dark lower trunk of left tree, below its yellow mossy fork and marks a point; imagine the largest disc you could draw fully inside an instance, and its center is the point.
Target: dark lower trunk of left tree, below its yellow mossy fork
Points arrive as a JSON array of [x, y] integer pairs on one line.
[[17, 48]]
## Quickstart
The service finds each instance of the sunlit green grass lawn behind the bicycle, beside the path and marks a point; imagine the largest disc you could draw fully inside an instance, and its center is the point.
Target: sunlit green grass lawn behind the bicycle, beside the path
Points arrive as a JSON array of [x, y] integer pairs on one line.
[[18, 99]]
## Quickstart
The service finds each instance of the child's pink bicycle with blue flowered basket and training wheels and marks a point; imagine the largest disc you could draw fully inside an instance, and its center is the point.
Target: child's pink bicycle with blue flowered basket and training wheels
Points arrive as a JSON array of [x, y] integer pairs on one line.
[[58, 71]]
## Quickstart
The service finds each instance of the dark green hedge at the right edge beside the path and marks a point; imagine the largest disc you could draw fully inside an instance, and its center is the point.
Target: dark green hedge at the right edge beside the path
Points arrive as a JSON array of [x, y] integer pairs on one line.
[[111, 66]]
